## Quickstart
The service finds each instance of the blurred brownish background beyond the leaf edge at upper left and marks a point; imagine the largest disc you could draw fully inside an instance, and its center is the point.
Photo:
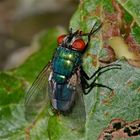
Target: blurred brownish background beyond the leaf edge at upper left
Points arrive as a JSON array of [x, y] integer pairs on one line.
[[22, 20]]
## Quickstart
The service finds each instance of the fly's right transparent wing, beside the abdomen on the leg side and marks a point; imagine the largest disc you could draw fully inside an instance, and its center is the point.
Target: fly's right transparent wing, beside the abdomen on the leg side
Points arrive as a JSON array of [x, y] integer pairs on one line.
[[77, 117]]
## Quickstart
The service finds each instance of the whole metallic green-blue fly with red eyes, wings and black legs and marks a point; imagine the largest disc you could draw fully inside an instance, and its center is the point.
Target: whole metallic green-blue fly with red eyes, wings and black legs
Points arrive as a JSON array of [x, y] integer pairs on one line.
[[63, 81]]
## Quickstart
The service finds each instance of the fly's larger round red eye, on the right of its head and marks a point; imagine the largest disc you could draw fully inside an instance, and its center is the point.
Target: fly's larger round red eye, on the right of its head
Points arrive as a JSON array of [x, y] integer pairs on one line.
[[78, 44]]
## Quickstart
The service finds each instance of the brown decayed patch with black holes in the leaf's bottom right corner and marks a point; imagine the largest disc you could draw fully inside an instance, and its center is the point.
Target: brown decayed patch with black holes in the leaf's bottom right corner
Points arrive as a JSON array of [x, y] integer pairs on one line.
[[118, 129]]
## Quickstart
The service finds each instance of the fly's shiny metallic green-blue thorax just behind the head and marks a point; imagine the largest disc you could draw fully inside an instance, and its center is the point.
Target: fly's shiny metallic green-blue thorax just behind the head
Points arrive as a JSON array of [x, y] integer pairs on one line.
[[64, 63]]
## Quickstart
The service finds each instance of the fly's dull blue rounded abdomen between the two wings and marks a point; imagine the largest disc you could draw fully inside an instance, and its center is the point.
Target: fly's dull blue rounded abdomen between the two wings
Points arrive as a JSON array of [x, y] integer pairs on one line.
[[62, 96]]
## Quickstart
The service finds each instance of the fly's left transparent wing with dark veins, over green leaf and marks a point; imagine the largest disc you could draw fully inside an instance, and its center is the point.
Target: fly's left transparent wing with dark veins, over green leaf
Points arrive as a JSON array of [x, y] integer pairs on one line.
[[37, 96]]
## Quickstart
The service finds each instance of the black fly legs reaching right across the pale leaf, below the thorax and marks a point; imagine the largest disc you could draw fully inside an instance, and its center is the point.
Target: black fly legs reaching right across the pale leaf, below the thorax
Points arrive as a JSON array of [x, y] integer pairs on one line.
[[84, 78]]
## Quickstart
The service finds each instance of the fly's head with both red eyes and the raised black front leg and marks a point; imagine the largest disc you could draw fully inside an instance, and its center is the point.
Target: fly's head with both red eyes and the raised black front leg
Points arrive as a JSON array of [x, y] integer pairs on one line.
[[75, 41]]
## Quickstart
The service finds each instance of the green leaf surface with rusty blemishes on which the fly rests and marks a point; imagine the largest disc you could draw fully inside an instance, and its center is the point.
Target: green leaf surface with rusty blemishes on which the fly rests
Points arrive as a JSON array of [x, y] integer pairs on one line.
[[101, 105]]
